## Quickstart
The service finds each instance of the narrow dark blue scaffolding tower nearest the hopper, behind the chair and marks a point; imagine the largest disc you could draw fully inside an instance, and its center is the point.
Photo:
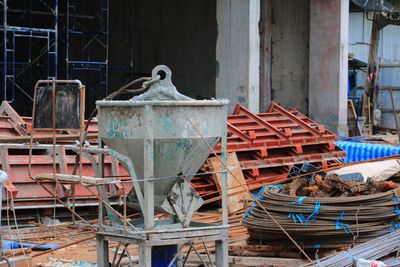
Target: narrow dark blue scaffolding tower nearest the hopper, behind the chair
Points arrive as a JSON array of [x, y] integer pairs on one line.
[[91, 33]]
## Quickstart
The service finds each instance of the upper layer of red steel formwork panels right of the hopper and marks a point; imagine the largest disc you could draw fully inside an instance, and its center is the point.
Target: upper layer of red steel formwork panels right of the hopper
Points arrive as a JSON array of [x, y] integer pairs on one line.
[[277, 128]]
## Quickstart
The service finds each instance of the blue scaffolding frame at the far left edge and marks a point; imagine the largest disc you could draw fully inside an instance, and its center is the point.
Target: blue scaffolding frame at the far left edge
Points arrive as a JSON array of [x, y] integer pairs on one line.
[[11, 34]]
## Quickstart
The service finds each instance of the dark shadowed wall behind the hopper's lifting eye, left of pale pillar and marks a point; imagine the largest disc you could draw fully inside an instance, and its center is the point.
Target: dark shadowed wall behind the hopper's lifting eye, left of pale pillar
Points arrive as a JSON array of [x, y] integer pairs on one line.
[[180, 34]]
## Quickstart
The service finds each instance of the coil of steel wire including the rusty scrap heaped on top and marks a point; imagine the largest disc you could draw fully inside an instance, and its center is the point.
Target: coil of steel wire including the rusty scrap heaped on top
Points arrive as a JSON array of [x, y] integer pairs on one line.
[[324, 212]]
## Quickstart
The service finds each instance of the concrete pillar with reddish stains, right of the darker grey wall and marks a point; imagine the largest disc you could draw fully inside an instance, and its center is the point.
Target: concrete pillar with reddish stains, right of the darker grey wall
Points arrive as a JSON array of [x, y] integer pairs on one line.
[[328, 63]]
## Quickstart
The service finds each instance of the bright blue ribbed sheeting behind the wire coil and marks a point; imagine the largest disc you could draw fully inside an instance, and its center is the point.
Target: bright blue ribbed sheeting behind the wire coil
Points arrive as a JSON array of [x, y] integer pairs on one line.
[[359, 151]]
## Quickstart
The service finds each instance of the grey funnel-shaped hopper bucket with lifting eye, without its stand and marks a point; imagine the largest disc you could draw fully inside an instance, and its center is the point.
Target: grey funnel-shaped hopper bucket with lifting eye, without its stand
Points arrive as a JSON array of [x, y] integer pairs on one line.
[[176, 126]]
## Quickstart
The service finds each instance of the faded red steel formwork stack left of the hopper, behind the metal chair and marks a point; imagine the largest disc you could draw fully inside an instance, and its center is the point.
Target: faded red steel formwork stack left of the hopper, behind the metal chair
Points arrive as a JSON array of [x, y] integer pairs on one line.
[[28, 194]]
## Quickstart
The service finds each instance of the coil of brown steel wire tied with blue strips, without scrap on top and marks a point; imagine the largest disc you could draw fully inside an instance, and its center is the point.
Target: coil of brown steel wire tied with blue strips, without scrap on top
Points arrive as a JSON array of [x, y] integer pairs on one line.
[[322, 222]]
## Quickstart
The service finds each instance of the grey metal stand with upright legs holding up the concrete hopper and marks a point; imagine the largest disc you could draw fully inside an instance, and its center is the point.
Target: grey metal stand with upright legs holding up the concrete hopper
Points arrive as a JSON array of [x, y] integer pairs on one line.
[[154, 235]]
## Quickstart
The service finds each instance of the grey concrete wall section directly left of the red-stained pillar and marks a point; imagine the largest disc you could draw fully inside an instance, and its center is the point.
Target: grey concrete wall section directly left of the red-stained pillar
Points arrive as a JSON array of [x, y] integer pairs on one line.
[[290, 53]]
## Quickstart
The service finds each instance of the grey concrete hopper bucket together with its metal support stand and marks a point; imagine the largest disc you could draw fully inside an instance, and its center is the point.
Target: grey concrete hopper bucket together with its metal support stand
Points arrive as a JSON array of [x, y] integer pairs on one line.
[[166, 141]]
